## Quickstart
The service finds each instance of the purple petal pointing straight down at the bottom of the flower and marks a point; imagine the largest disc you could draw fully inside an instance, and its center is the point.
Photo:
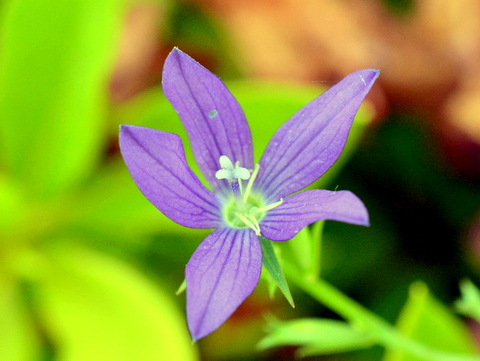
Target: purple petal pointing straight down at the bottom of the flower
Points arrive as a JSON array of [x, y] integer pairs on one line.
[[223, 271]]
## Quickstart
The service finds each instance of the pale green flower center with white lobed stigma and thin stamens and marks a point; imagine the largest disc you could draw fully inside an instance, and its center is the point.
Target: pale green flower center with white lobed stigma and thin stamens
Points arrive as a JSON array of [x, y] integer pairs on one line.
[[245, 209]]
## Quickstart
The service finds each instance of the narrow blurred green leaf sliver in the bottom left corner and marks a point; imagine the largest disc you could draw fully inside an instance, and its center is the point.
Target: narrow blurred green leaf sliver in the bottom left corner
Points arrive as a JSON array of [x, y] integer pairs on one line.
[[18, 341]]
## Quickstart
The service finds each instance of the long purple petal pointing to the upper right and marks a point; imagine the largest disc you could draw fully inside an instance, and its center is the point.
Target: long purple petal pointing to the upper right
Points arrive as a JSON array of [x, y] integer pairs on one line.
[[309, 143]]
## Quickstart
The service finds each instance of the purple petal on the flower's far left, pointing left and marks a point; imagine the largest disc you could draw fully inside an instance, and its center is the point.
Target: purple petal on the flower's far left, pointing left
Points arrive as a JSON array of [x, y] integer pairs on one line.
[[156, 161]]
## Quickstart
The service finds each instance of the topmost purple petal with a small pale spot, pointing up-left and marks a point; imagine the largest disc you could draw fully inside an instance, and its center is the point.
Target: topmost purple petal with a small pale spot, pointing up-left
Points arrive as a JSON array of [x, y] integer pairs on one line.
[[214, 120]]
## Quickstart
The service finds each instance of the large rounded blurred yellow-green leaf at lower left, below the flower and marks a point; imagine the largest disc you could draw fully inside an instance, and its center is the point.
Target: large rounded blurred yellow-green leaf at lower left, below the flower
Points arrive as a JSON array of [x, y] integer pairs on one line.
[[95, 307]]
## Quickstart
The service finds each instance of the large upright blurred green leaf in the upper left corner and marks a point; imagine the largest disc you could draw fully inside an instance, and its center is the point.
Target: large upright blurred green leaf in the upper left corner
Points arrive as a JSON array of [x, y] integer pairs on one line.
[[55, 60]]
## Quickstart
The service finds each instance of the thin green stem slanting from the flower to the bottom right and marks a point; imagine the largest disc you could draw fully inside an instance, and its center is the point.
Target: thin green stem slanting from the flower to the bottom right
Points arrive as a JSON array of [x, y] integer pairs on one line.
[[365, 320]]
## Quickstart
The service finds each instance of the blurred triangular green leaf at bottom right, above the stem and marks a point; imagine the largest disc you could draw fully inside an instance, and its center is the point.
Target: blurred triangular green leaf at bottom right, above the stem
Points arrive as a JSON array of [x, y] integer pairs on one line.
[[426, 320]]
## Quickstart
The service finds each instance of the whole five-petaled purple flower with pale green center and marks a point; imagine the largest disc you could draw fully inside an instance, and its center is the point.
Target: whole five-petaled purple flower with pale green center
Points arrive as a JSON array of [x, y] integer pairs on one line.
[[247, 200]]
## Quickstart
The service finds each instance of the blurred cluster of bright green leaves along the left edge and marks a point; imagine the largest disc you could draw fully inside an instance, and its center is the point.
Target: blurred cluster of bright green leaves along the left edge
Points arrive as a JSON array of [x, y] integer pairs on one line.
[[59, 297]]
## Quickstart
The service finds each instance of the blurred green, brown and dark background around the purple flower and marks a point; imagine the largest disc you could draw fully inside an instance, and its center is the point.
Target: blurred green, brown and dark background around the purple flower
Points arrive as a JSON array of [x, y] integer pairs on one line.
[[89, 269]]
